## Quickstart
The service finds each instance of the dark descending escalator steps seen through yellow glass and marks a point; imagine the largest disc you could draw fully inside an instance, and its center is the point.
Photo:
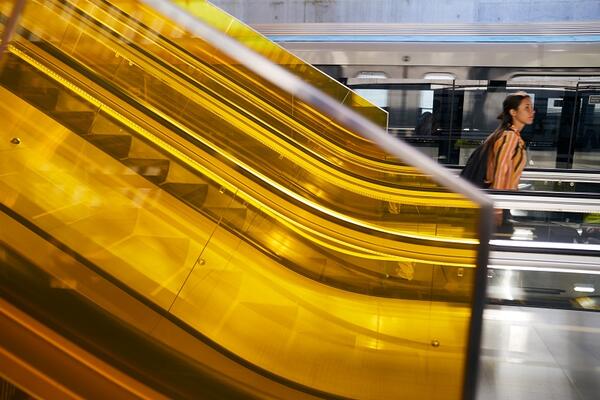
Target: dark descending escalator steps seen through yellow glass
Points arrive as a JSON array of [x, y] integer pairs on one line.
[[217, 202]]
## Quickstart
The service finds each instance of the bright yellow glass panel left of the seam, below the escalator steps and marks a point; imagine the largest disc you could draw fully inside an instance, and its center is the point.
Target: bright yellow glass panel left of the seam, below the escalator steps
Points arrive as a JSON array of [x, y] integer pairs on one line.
[[87, 200]]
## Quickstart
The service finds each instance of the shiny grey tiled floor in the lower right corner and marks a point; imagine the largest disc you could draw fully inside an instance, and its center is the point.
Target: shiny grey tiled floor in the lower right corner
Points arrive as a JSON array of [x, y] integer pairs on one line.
[[536, 353]]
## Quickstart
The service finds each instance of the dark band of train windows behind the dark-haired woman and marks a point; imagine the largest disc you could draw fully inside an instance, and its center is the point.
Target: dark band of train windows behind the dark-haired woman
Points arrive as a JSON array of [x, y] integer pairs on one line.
[[446, 119]]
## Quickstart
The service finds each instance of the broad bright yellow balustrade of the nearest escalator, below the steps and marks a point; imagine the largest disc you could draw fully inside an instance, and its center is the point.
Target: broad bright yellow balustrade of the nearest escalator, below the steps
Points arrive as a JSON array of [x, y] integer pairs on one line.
[[234, 294]]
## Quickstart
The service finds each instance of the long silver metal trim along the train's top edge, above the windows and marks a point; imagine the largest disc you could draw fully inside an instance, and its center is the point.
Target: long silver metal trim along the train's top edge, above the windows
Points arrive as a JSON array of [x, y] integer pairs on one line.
[[462, 59]]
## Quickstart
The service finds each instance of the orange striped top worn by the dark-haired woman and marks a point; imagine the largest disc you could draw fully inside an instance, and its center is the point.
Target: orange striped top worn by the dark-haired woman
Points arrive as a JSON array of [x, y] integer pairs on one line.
[[506, 161]]
